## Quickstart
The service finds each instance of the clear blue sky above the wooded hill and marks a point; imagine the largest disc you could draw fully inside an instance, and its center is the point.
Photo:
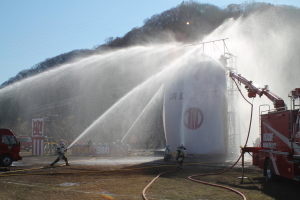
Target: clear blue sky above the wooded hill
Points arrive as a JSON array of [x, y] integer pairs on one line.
[[34, 30]]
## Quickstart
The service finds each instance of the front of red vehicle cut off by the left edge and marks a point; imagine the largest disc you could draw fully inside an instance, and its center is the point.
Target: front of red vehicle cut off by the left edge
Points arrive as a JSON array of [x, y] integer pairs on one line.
[[9, 148]]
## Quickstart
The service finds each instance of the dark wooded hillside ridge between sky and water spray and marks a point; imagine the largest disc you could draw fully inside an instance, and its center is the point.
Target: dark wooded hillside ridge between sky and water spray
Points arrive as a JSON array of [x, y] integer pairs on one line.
[[202, 19]]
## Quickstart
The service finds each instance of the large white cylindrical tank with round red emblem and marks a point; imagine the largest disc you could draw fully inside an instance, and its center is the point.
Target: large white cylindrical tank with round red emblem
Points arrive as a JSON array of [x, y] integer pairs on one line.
[[195, 108]]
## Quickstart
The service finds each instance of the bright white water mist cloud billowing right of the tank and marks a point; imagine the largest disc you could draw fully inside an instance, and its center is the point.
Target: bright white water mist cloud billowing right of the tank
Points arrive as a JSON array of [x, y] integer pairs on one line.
[[267, 47]]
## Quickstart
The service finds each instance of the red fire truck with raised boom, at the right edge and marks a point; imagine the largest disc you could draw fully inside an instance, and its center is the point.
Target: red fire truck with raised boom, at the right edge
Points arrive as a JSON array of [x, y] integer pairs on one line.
[[279, 151]]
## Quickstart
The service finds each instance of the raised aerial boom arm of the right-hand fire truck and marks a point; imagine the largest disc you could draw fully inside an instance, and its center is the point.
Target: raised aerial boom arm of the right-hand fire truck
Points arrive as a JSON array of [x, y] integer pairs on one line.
[[254, 90]]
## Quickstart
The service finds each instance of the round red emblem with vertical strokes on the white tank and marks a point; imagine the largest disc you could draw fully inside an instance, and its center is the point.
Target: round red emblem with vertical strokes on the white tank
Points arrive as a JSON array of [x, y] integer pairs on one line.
[[193, 118]]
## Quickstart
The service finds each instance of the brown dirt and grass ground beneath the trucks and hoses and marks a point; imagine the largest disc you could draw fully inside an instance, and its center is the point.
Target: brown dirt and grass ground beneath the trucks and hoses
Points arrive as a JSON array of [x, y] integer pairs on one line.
[[126, 178]]
